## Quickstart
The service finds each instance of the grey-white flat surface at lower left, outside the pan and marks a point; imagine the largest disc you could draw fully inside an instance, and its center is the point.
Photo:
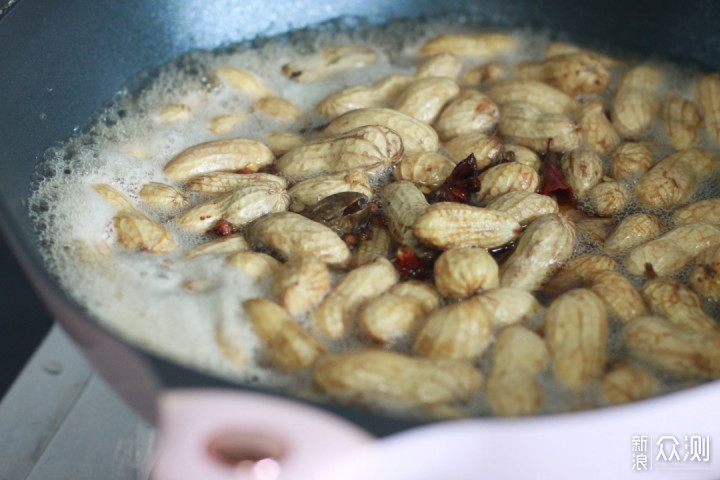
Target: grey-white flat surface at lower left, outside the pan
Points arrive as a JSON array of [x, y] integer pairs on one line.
[[60, 421]]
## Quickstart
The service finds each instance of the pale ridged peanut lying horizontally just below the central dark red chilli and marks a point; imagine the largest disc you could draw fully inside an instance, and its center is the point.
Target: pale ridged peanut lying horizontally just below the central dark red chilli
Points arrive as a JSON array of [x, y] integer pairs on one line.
[[446, 225]]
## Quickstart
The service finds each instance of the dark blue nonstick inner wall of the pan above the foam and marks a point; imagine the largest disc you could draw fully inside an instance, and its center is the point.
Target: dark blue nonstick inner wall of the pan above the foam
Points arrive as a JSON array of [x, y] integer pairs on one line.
[[61, 61]]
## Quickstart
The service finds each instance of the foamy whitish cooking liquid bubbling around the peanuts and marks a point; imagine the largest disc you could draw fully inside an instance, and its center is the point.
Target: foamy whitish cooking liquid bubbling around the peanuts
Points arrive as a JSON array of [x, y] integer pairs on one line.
[[143, 296]]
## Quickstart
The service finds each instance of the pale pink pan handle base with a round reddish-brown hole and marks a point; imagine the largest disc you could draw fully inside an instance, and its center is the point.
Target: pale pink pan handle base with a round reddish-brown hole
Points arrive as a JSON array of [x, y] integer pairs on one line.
[[225, 435]]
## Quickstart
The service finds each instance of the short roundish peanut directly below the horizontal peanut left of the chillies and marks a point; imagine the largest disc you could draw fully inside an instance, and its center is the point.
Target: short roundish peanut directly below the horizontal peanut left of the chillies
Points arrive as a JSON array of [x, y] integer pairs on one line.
[[300, 283]]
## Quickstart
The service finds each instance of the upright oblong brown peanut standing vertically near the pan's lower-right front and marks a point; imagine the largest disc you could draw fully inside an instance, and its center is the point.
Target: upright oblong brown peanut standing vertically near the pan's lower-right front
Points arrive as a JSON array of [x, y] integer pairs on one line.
[[576, 329]]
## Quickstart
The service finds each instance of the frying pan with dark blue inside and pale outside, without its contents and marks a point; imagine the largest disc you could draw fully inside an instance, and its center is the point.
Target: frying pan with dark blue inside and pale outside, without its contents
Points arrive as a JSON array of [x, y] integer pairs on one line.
[[60, 63]]
